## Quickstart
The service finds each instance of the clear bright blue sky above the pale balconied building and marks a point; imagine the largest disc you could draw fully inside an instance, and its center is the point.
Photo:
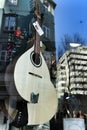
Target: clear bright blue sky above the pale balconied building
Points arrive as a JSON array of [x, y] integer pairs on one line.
[[70, 18]]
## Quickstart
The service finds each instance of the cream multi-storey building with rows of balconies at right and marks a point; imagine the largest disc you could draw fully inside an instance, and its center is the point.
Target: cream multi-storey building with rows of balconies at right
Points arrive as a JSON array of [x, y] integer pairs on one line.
[[72, 76]]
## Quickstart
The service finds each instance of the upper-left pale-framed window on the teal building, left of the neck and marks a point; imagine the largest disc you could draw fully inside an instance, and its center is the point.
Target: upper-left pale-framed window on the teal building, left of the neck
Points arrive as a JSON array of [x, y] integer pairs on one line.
[[9, 23]]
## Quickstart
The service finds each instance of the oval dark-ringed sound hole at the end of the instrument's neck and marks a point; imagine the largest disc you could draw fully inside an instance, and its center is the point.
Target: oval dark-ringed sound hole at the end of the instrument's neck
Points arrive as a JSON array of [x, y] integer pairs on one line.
[[36, 59]]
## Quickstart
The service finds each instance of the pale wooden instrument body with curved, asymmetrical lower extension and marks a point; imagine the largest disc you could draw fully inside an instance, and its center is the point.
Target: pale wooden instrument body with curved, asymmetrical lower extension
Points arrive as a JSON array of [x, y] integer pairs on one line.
[[33, 83]]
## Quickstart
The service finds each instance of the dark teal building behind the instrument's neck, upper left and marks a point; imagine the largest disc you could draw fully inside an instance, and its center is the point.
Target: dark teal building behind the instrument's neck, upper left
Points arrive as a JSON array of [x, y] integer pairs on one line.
[[20, 13]]
